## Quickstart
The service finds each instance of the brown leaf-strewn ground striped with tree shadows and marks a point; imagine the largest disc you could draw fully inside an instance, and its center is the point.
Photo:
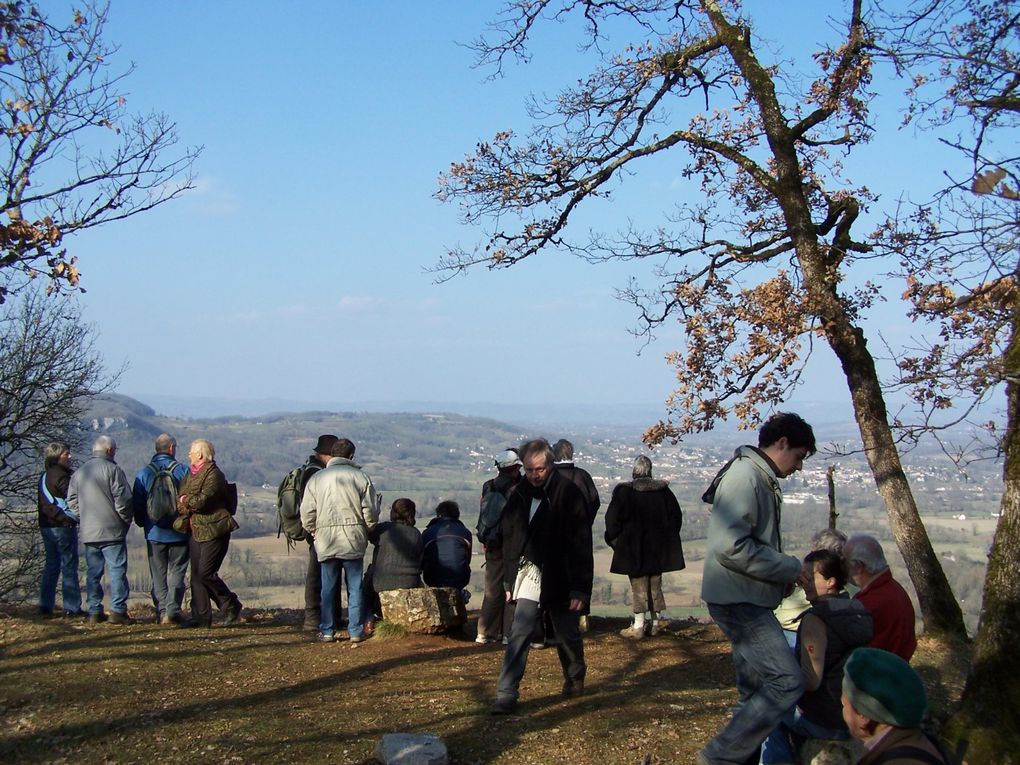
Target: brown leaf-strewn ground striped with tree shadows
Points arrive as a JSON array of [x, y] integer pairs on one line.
[[265, 692]]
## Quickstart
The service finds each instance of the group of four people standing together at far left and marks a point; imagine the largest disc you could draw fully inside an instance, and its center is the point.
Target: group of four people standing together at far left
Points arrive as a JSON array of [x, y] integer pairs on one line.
[[96, 505]]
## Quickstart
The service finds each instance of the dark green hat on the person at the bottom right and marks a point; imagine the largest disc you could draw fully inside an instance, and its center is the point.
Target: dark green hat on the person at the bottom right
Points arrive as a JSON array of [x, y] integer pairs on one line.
[[885, 688]]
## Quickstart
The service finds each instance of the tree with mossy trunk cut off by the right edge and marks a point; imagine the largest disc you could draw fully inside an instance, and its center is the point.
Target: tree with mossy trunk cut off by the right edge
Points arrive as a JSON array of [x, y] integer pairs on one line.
[[963, 250]]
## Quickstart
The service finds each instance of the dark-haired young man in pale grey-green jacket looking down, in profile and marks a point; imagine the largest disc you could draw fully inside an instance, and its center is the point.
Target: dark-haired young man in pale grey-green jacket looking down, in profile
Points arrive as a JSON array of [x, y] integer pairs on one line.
[[746, 577]]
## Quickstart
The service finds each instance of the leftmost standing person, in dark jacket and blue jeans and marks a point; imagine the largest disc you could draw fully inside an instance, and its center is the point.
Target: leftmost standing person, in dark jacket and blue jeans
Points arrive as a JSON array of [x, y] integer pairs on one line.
[[60, 530]]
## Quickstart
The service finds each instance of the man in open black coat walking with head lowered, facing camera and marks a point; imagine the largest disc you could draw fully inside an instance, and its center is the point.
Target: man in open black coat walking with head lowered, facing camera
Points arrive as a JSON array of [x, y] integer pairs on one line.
[[547, 547]]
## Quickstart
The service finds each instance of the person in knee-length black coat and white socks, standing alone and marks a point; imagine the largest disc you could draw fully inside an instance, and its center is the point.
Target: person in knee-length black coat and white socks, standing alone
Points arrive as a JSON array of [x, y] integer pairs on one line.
[[643, 528]]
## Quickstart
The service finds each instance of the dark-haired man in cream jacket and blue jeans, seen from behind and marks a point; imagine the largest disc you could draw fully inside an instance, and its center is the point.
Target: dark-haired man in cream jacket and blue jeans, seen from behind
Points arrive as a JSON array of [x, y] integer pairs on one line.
[[339, 509]]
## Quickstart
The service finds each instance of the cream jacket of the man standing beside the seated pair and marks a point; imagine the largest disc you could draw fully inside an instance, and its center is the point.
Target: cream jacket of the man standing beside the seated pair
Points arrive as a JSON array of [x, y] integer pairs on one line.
[[339, 509]]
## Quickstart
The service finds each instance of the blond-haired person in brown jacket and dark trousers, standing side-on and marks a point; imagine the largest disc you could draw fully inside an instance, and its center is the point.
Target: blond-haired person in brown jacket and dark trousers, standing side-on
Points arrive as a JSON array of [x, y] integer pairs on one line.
[[203, 502]]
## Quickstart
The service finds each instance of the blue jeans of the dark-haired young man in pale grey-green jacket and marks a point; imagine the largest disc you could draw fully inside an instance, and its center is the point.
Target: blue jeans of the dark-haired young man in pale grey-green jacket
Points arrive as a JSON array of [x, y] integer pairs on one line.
[[770, 681]]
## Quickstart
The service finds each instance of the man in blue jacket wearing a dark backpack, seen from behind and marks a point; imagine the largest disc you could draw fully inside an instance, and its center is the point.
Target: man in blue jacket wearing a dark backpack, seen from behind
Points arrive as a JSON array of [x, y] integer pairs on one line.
[[155, 501]]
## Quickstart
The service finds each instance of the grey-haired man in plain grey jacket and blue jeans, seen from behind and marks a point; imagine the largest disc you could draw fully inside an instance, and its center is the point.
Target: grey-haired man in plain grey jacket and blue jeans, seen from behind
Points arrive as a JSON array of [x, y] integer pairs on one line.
[[100, 494]]
